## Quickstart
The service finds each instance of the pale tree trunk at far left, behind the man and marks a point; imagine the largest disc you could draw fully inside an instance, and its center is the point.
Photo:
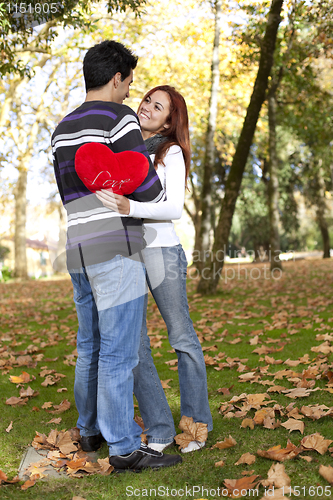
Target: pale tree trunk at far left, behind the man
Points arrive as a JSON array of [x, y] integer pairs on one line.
[[20, 270]]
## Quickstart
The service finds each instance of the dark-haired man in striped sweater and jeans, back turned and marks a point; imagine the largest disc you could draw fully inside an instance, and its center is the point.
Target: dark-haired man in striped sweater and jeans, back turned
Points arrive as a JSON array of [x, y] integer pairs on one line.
[[103, 260]]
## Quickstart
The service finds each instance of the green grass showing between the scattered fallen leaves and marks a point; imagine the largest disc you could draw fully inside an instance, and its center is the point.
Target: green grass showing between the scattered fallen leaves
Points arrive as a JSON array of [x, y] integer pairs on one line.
[[38, 318]]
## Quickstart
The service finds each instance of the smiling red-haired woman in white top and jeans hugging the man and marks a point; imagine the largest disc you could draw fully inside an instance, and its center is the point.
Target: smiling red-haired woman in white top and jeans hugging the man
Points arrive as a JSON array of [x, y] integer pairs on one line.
[[164, 124]]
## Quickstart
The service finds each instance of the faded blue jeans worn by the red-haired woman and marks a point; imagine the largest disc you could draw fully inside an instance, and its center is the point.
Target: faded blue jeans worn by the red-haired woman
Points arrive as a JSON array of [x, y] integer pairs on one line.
[[168, 266]]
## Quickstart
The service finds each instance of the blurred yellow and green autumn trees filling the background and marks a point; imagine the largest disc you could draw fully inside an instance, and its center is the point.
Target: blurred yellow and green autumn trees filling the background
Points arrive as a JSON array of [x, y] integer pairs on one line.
[[283, 195]]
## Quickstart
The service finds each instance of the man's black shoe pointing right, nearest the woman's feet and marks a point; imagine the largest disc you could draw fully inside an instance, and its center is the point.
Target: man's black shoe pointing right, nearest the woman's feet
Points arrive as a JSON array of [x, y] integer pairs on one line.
[[143, 458]]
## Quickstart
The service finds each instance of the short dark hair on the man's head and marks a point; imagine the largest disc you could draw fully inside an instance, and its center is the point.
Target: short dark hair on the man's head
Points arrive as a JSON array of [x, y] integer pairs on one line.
[[104, 60]]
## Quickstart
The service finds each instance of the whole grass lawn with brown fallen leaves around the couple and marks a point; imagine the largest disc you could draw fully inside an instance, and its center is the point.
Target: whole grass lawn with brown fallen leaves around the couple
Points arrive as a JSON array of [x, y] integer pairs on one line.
[[260, 335]]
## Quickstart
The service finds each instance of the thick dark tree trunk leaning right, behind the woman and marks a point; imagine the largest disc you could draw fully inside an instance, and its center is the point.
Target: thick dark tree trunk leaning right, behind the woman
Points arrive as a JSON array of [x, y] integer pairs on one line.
[[209, 280]]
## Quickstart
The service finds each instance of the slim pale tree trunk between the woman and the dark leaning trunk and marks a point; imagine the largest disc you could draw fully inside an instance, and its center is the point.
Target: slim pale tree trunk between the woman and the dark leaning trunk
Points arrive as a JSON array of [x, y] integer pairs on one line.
[[203, 240]]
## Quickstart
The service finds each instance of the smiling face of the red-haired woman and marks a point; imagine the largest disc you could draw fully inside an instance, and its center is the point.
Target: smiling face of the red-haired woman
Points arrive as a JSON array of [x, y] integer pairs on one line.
[[153, 113]]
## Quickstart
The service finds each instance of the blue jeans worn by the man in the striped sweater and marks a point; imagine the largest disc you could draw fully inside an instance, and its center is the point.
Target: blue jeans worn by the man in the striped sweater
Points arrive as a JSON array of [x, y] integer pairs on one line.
[[109, 299]]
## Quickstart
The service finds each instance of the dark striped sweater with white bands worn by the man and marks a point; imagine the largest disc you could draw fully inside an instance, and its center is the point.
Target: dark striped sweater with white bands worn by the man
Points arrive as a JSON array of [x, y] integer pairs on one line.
[[96, 234]]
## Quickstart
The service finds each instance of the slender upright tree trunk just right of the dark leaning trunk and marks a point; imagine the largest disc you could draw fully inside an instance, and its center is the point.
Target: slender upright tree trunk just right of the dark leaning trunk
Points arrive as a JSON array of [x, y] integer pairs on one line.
[[273, 187]]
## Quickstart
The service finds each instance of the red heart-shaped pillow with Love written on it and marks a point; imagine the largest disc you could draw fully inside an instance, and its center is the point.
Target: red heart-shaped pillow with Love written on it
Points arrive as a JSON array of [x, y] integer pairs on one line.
[[99, 168]]
